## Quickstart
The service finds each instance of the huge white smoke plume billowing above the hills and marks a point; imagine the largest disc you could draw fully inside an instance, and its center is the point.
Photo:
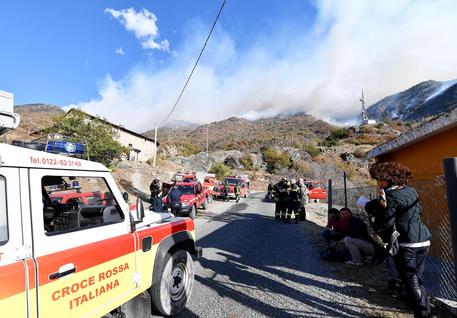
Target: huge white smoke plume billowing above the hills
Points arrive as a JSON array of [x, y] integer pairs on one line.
[[381, 46]]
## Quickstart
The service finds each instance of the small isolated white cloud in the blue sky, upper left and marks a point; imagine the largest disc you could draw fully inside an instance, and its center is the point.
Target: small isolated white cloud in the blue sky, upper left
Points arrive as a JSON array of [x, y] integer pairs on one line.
[[143, 24]]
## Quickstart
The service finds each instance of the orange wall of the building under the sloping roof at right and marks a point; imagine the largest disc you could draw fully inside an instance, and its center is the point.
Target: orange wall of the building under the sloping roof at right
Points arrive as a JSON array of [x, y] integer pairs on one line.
[[425, 157]]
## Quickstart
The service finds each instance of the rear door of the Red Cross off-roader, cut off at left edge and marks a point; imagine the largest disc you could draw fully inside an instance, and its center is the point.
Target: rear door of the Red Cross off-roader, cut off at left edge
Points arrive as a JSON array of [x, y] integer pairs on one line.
[[14, 284]]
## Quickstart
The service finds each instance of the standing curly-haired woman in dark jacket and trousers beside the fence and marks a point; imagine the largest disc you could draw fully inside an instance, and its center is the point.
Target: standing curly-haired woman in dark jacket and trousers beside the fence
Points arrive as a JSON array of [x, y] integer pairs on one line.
[[402, 213]]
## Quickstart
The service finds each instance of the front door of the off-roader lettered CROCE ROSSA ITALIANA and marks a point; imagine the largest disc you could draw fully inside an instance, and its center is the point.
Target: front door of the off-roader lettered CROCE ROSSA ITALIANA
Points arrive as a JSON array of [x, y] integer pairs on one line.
[[85, 253]]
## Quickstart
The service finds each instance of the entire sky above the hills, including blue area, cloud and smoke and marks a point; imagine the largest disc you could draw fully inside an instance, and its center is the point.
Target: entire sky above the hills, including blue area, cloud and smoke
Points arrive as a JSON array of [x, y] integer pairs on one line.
[[114, 58]]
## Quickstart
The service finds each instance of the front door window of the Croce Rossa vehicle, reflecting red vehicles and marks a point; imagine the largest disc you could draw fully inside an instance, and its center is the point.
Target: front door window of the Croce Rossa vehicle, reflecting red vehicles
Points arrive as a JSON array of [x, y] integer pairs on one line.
[[77, 203]]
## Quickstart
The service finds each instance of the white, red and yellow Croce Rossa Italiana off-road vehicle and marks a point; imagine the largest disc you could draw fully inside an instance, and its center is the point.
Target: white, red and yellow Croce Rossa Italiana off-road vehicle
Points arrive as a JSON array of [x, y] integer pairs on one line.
[[84, 259]]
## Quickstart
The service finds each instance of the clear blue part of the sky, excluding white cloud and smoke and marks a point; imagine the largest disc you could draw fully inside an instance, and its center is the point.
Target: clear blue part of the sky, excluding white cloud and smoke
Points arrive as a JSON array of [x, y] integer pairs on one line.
[[57, 51]]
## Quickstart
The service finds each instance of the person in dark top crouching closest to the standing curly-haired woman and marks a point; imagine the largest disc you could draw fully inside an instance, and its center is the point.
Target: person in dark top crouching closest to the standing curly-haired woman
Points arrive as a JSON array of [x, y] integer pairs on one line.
[[357, 240]]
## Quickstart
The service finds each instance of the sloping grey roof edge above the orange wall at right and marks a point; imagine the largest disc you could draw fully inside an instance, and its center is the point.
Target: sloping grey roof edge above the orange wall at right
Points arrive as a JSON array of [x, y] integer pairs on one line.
[[442, 123]]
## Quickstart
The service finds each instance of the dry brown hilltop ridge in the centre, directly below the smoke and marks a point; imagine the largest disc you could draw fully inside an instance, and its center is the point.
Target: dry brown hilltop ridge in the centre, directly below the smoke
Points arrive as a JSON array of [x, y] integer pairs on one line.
[[246, 135]]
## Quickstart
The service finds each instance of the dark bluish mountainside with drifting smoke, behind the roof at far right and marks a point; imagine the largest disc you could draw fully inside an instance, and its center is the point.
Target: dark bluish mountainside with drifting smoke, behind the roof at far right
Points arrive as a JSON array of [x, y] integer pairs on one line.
[[422, 100]]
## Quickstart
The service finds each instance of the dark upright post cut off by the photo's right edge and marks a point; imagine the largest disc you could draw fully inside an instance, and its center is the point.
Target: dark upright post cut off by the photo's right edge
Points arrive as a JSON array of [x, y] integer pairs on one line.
[[450, 173]]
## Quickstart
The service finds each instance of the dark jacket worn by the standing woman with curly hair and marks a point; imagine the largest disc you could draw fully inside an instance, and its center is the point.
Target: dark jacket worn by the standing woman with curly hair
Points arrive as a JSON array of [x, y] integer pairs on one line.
[[404, 210]]
